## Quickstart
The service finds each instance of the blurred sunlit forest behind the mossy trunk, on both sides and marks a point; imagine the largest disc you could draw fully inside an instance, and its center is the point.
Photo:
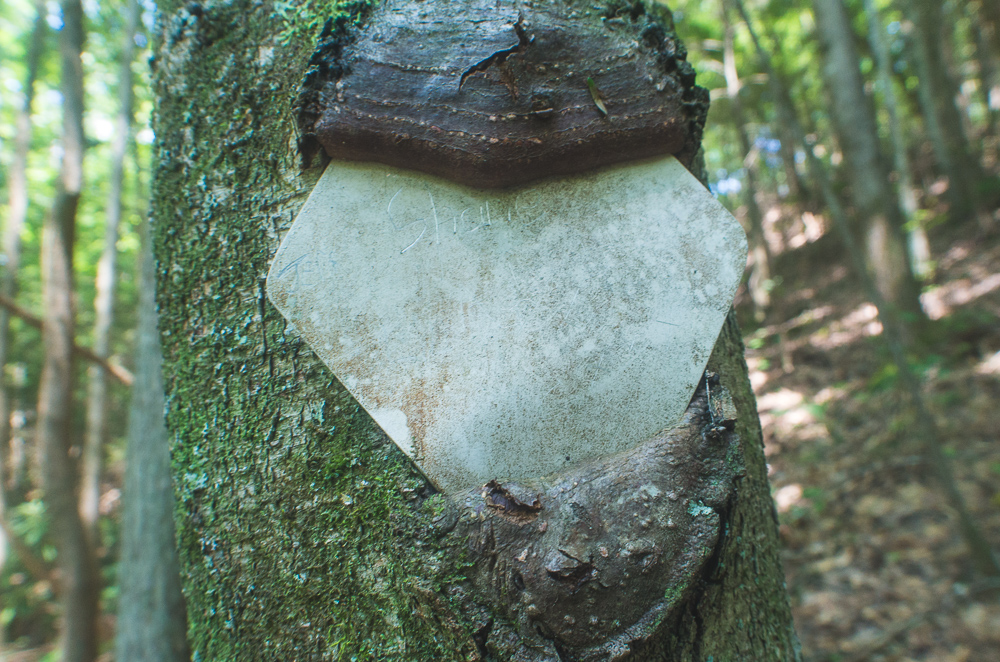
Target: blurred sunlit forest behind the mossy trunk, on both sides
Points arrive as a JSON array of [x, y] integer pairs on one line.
[[869, 380]]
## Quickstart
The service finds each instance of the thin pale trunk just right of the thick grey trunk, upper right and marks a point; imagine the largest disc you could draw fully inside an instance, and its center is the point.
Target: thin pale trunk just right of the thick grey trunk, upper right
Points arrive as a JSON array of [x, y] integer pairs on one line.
[[917, 242]]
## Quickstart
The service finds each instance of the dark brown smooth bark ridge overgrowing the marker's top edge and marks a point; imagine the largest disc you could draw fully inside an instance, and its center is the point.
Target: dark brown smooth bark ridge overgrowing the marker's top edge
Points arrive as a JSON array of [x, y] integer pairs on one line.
[[494, 94]]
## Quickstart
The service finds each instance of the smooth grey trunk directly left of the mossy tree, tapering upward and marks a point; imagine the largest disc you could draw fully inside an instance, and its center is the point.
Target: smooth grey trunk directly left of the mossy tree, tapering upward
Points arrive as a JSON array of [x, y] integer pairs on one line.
[[152, 624]]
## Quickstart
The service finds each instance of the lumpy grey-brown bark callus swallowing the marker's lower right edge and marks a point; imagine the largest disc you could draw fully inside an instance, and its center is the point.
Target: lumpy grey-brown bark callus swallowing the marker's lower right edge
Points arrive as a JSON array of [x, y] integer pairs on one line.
[[587, 565]]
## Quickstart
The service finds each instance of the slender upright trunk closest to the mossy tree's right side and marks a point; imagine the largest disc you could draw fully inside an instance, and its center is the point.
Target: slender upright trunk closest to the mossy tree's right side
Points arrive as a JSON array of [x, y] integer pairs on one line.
[[760, 276]]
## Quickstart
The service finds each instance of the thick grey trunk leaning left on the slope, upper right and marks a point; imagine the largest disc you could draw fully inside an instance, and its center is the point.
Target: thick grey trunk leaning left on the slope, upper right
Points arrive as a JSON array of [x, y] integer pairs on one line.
[[854, 118]]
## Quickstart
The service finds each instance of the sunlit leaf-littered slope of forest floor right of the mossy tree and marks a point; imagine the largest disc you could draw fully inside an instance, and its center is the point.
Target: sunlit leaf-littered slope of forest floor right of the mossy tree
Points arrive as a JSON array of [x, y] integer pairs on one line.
[[874, 561]]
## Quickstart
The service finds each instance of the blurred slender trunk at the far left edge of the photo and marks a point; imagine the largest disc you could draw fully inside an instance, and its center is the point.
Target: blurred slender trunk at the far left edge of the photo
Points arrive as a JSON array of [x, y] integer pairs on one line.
[[17, 182]]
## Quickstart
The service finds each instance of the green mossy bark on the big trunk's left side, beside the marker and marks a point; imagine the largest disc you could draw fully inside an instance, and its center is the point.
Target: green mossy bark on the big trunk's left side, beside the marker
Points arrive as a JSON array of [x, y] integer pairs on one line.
[[296, 516]]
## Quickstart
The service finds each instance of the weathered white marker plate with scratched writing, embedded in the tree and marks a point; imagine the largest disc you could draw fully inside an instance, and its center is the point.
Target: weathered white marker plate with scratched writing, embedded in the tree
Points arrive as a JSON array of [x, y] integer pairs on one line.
[[508, 334]]
